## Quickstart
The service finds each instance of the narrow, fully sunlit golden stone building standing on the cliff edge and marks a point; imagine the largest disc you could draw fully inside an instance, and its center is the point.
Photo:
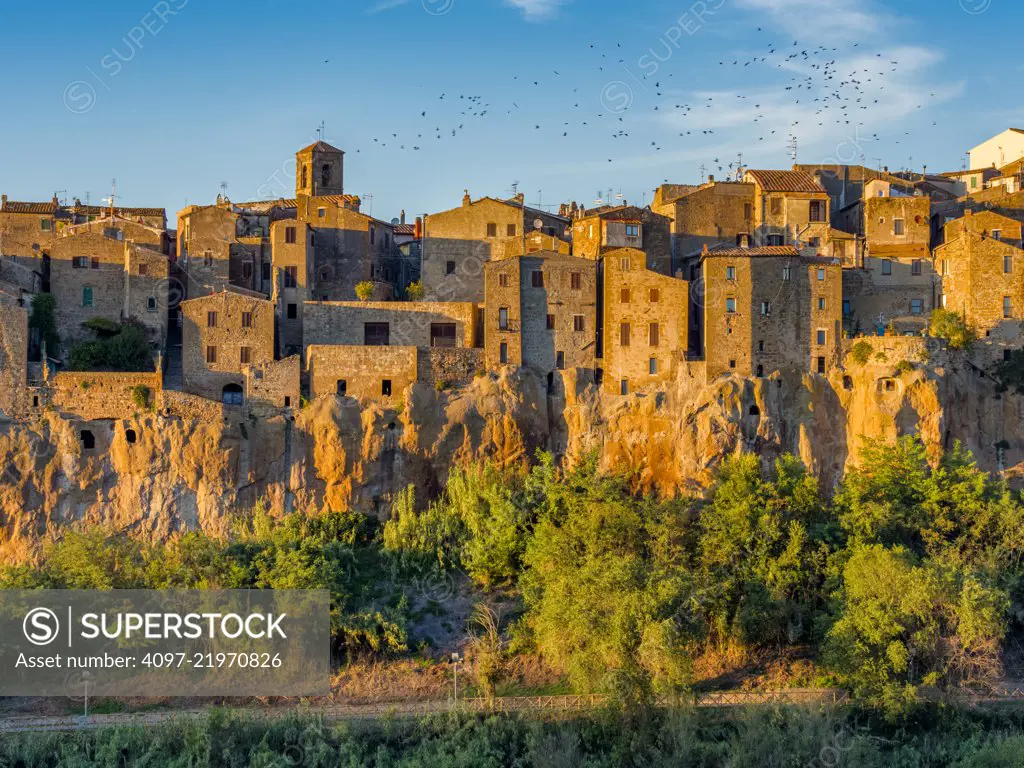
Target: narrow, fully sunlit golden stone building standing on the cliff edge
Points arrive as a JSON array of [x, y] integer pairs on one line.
[[645, 322]]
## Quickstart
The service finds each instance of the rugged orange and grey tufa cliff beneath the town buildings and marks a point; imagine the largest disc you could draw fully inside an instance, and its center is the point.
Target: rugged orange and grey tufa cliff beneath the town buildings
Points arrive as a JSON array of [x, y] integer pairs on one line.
[[157, 476]]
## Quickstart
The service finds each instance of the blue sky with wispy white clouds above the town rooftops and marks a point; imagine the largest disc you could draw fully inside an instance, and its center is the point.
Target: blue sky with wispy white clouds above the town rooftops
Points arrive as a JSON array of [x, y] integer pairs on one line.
[[176, 98]]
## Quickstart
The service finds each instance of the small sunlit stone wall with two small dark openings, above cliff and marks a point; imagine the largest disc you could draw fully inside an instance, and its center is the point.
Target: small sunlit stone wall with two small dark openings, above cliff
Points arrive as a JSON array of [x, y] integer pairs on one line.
[[364, 371]]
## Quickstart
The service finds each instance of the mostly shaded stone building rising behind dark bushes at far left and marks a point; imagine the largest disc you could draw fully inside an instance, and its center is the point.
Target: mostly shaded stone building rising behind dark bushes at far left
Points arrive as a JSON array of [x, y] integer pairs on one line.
[[102, 276]]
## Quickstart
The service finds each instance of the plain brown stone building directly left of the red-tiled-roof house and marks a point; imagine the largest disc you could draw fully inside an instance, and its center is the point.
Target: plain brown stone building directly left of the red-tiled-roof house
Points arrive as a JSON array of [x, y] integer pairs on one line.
[[719, 214]]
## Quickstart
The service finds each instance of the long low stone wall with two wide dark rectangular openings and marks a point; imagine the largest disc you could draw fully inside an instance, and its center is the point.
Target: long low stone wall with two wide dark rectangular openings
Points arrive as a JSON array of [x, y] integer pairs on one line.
[[410, 322]]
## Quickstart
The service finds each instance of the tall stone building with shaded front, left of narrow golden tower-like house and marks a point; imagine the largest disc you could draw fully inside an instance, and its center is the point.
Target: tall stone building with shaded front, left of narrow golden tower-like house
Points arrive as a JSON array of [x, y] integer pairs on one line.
[[542, 314]]
